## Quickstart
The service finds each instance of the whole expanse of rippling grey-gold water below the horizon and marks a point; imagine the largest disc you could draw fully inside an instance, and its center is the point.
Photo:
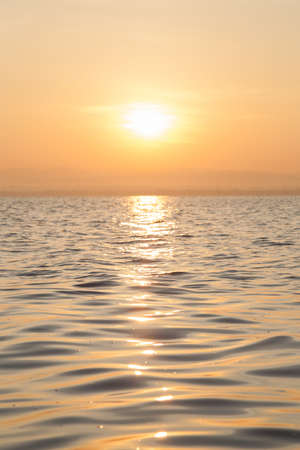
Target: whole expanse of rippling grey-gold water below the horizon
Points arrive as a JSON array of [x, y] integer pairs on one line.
[[150, 322]]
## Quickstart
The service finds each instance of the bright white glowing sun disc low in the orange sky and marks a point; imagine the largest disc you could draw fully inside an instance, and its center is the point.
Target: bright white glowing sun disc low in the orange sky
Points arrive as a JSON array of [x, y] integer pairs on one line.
[[147, 120]]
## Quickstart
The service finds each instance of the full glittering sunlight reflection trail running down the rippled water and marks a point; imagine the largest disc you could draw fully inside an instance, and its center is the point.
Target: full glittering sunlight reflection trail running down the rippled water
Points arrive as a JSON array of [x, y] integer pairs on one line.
[[149, 229]]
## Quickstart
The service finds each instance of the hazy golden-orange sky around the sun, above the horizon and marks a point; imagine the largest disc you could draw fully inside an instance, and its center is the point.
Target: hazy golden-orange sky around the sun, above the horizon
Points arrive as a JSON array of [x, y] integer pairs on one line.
[[227, 73]]
